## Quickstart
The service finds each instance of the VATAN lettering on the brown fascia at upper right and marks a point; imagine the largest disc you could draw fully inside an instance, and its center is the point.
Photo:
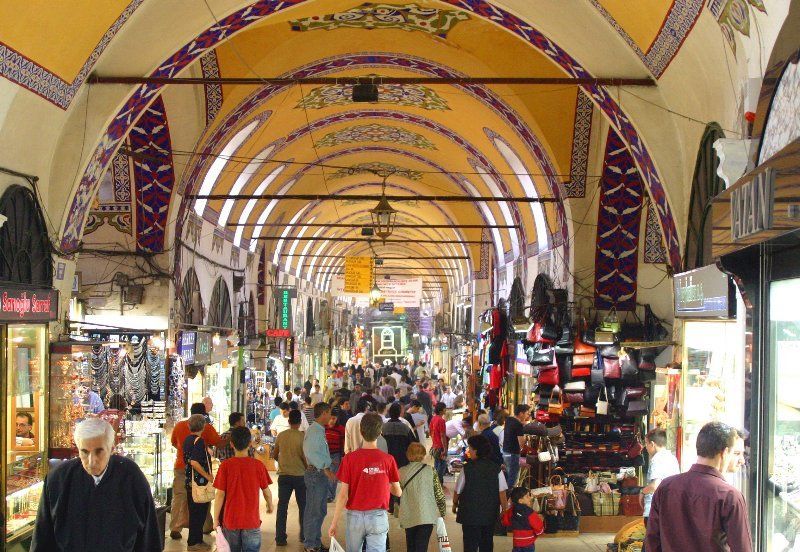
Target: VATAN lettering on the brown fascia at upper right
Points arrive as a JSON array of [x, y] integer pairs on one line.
[[751, 206]]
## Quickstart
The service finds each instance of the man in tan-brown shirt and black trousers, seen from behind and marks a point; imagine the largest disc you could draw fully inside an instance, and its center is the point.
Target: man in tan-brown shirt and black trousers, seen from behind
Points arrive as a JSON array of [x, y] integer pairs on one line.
[[288, 451]]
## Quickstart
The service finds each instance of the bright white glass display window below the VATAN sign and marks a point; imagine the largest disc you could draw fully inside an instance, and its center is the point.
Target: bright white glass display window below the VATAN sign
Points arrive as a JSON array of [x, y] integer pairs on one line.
[[783, 496]]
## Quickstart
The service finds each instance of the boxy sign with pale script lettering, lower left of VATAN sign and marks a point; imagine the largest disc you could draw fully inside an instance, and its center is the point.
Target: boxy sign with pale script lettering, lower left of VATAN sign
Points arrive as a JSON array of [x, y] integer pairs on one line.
[[703, 293]]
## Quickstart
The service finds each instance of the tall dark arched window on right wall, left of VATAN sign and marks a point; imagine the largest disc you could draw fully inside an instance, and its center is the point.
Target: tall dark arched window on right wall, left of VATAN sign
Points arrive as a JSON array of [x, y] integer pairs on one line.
[[706, 184]]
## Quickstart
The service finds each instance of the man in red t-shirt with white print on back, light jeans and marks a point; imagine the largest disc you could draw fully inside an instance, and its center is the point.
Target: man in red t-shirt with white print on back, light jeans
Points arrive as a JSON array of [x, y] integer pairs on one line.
[[368, 476]]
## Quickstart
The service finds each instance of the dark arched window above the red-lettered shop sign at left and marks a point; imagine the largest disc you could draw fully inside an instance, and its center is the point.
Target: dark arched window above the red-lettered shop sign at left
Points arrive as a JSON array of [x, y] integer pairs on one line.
[[25, 251]]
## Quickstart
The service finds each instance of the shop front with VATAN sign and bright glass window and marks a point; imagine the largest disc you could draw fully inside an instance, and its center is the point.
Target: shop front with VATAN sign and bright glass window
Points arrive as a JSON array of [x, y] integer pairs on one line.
[[757, 239]]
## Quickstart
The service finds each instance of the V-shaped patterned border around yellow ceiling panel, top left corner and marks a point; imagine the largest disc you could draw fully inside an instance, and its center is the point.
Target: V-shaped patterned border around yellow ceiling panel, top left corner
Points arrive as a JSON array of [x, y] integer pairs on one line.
[[28, 74]]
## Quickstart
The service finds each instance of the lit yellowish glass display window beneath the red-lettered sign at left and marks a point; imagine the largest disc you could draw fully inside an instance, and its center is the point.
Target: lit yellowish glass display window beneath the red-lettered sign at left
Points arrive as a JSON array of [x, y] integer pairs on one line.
[[26, 425]]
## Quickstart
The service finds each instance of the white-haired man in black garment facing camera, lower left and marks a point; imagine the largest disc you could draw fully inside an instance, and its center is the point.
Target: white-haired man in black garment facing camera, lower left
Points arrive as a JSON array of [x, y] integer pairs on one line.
[[98, 501]]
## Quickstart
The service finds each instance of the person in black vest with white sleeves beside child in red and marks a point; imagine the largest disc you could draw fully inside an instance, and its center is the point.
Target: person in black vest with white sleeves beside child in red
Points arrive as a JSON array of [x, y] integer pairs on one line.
[[479, 495]]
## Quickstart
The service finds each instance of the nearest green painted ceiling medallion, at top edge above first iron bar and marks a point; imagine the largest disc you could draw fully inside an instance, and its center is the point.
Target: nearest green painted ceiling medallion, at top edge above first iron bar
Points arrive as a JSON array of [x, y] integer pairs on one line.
[[408, 17]]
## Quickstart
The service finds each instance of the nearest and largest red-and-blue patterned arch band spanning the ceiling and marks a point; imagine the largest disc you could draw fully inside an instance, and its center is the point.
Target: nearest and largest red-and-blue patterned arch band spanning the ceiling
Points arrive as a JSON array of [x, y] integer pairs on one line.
[[74, 221]]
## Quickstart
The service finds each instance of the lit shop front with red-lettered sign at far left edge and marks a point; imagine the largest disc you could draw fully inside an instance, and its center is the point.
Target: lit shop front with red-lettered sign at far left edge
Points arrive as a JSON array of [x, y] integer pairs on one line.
[[24, 314]]
